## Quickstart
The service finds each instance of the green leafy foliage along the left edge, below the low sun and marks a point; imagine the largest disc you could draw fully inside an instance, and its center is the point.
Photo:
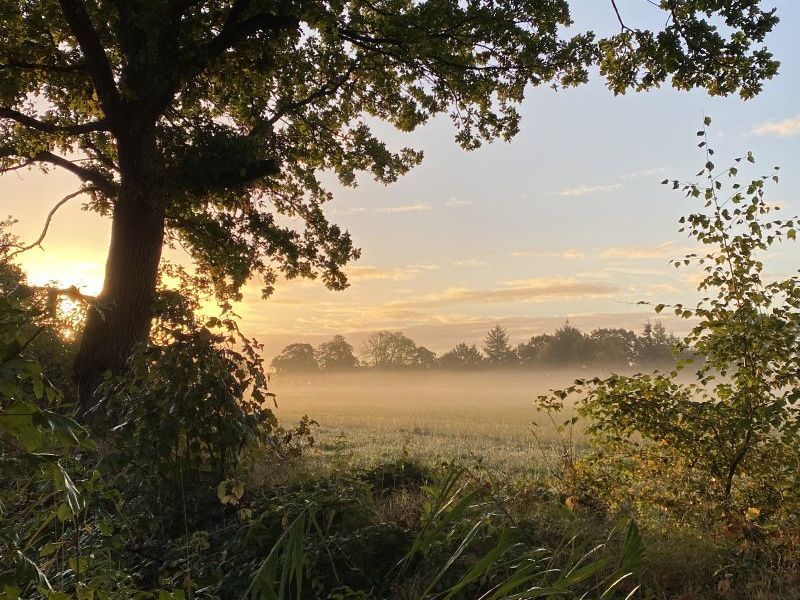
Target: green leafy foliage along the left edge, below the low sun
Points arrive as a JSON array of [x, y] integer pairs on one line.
[[37, 444]]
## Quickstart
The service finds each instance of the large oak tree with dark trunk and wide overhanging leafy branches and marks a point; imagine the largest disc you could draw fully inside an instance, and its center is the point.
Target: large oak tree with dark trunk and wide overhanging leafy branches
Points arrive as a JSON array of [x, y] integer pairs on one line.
[[207, 123]]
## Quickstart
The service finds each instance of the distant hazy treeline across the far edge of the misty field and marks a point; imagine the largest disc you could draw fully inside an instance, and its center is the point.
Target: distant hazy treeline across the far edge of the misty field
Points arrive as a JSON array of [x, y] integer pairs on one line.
[[567, 346]]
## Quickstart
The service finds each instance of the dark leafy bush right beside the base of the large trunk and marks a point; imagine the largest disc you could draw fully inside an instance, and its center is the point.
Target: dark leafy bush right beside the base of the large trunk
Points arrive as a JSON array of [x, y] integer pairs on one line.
[[196, 396]]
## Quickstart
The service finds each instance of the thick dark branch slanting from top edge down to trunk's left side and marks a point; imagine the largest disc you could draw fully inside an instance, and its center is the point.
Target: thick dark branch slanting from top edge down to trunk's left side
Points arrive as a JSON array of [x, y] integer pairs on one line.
[[96, 60]]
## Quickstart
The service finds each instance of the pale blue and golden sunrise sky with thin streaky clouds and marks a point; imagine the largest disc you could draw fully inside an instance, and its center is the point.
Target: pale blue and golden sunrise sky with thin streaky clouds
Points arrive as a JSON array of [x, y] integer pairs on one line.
[[567, 221]]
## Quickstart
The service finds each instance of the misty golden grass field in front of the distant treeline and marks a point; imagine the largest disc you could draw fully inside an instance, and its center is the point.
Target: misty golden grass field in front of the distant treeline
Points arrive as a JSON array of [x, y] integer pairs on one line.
[[371, 416]]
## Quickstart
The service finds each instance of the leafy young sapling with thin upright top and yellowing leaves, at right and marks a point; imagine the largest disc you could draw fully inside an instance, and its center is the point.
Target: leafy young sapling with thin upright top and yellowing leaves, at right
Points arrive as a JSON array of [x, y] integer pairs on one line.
[[731, 432]]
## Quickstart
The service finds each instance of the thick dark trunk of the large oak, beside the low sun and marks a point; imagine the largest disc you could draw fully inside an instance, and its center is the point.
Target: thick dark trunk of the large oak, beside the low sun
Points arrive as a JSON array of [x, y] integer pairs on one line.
[[122, 318]]
